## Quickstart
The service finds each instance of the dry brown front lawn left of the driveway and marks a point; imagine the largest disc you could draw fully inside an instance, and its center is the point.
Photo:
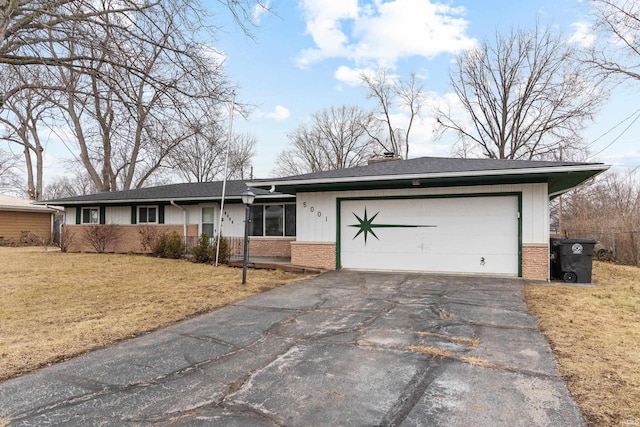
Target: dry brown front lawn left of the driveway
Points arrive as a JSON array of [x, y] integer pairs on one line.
[[56, 305]]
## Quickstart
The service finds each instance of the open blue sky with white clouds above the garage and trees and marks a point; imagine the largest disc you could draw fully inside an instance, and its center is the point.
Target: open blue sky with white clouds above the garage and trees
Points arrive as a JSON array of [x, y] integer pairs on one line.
[[306, 54]]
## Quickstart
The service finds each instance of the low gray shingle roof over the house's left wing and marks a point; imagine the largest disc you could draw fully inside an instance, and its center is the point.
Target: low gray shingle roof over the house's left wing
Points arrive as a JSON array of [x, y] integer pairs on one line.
[[177, 192]]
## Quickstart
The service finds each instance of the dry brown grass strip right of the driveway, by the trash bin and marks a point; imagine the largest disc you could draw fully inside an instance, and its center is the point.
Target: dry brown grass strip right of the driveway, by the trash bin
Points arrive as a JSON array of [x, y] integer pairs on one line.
[[595, 335]]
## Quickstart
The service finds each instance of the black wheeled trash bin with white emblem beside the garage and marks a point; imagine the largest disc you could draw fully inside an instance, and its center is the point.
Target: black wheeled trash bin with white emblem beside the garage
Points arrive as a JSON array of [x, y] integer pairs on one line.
[[573, 259]]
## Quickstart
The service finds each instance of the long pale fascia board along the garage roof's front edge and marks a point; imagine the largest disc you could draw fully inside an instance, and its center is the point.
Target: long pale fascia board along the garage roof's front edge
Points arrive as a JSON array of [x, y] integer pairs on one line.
[[489, 172]]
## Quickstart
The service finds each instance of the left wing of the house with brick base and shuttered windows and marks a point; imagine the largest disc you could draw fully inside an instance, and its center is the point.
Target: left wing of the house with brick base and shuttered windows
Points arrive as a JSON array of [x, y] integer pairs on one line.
[[187, 209]]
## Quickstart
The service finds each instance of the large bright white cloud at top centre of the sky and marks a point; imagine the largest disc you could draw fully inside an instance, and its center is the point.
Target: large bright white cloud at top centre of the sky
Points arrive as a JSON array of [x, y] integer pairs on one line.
[[380, 33]]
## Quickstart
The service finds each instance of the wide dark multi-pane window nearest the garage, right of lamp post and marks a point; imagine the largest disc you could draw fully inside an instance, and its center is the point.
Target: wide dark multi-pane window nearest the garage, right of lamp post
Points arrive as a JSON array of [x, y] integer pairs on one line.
[[273, 220]]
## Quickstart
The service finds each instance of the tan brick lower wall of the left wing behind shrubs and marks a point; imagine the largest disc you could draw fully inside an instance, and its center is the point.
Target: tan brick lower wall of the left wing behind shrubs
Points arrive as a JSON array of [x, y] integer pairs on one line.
[[128, 237]]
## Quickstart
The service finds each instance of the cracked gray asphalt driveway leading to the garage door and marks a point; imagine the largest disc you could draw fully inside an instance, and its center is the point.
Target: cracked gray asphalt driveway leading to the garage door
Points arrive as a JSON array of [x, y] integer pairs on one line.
[[344, 348]]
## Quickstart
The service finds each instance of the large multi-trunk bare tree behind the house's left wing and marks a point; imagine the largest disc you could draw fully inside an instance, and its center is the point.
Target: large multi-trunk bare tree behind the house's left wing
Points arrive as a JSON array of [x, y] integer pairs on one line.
[[126, 123]]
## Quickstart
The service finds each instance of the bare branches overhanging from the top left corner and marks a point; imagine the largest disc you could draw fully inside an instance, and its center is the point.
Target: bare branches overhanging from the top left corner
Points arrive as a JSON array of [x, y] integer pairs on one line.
[[32, 32]]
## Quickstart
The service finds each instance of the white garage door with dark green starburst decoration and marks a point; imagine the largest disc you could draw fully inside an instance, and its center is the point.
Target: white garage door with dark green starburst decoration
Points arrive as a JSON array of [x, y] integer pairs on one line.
[[451, 234]]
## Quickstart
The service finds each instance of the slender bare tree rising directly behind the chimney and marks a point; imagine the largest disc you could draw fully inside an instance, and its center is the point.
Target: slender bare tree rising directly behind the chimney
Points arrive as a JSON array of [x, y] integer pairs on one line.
[[390, 93]]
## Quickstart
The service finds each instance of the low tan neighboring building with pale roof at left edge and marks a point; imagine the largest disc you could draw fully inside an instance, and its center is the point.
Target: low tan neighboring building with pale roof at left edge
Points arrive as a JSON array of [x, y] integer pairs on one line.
[[22, 221]]
